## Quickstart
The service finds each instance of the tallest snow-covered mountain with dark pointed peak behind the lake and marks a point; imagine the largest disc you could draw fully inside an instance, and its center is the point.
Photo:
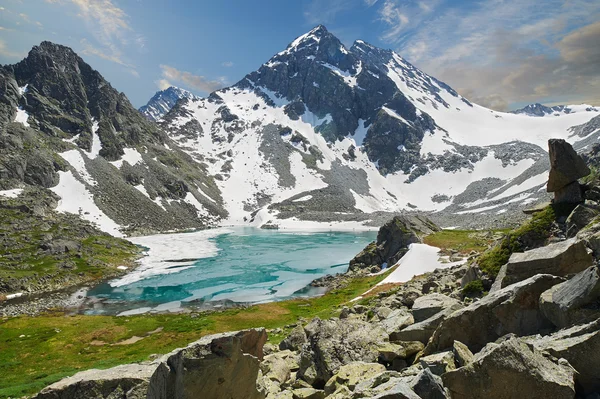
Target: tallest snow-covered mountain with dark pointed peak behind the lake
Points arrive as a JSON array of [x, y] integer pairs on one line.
[[325, 133]]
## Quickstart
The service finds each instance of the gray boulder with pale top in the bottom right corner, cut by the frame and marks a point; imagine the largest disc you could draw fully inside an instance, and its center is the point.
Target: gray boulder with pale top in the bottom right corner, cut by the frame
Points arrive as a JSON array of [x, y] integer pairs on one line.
[[580, 345]]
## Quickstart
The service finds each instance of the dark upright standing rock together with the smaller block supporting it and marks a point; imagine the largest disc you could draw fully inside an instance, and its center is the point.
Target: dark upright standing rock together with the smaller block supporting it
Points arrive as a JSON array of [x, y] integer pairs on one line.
[[566, 166]]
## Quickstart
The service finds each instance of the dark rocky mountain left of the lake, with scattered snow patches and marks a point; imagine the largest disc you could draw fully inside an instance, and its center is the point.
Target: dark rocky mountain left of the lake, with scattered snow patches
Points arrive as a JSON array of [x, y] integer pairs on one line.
[[64, 128]]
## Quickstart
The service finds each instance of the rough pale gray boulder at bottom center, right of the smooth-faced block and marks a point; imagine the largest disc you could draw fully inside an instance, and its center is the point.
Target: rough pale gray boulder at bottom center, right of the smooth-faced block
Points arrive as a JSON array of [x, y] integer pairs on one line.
[[334, 343]]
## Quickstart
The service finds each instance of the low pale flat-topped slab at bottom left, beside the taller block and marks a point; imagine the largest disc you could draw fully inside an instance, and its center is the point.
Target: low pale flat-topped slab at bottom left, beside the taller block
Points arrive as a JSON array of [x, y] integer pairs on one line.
[[128, 382]]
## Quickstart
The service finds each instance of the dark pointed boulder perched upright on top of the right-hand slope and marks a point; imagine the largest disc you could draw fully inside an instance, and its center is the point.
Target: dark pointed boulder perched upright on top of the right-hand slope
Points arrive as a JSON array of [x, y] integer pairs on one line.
[[566, 166]]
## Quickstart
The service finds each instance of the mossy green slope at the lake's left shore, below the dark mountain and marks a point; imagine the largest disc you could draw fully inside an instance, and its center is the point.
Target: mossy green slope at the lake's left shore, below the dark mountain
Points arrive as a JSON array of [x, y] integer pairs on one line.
[[23, 258]]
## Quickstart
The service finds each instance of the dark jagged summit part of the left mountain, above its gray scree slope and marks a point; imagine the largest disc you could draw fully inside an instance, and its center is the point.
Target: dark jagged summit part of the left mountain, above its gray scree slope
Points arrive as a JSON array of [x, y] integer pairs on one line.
[[65, 97]]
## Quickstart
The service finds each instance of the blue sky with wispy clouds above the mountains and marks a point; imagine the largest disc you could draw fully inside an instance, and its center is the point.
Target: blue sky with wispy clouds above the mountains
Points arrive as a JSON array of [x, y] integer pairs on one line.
[[499, 53]]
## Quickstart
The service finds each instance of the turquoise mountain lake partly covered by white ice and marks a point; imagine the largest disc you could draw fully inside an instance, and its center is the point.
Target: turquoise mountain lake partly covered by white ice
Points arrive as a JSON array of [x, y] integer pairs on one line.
[[241, 265]]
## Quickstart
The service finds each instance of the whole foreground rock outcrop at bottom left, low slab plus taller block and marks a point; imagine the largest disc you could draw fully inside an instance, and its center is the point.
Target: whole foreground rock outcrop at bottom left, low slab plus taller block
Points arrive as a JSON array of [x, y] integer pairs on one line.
[[221, 366]]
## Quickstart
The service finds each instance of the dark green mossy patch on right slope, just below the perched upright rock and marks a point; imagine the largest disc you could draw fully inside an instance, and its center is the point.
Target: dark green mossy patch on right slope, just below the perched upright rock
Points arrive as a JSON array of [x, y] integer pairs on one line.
[[532, 234]]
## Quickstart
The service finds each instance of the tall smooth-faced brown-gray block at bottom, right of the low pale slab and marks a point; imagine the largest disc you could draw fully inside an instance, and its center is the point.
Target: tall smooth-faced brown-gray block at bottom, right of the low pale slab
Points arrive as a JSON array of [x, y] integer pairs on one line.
[[220, 366]]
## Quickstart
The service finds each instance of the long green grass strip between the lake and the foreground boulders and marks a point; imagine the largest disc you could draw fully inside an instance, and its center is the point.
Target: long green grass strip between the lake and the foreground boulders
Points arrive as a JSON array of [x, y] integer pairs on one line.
[[37, 351]]
